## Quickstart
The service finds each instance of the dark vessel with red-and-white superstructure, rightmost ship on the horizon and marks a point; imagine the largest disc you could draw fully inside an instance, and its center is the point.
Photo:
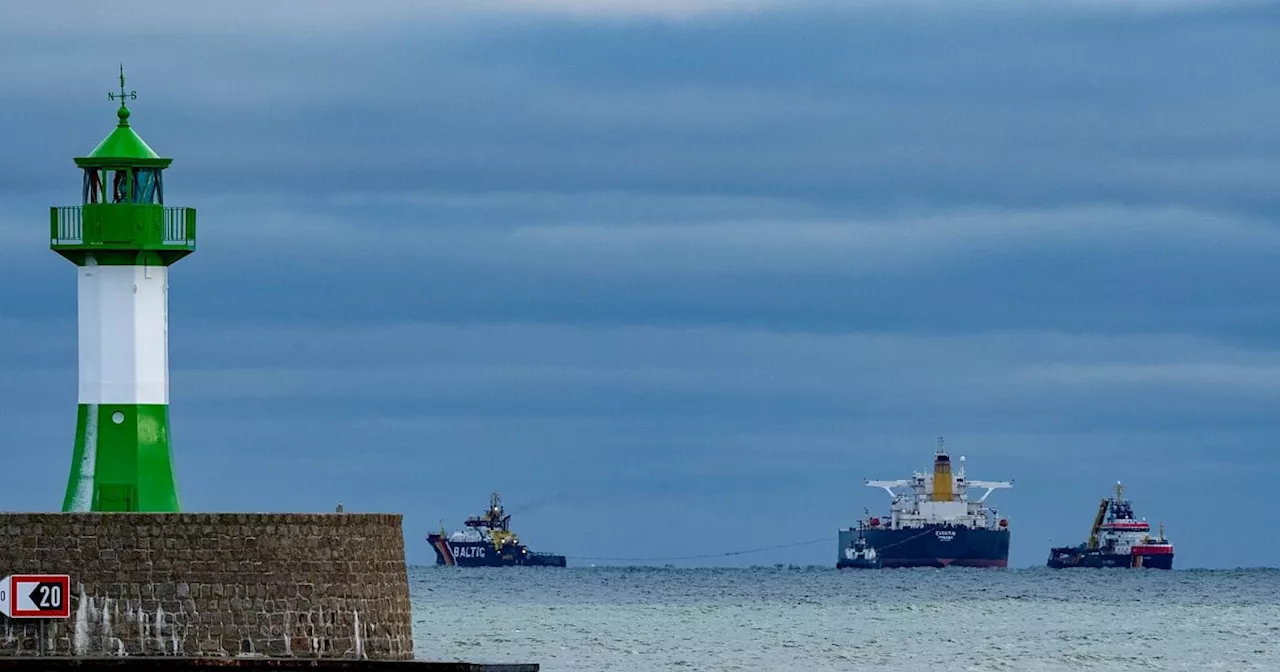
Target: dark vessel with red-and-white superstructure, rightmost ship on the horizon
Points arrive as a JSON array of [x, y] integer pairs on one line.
[[1117, 541]]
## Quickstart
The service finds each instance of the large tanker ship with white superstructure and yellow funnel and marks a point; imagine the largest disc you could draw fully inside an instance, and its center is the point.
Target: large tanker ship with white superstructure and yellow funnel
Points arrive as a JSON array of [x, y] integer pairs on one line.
[[932, 523]]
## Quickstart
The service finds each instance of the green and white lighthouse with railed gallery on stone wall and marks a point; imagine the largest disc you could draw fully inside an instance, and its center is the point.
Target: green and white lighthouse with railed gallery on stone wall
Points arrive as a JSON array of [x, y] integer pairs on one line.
[[122, 239]]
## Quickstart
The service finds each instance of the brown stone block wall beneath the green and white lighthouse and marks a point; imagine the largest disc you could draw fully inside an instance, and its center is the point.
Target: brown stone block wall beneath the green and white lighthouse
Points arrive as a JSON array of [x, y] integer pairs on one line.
[[322, 586]]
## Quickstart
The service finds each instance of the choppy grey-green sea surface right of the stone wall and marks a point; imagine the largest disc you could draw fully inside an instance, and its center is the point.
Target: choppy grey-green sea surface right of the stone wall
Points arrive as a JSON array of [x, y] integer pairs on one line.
[[638, 620]]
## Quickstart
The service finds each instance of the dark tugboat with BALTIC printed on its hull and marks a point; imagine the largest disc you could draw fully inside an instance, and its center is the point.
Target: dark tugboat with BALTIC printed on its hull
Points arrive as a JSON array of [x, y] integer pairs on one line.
[[488, 542]]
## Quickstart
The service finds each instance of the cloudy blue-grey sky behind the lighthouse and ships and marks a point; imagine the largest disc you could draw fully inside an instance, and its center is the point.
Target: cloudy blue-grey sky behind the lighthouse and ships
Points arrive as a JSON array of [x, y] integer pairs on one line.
[[676, 276]]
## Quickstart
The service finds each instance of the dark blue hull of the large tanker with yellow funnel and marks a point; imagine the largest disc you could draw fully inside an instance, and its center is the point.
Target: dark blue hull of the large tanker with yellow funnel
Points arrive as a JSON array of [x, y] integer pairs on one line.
[[935, 546]]
